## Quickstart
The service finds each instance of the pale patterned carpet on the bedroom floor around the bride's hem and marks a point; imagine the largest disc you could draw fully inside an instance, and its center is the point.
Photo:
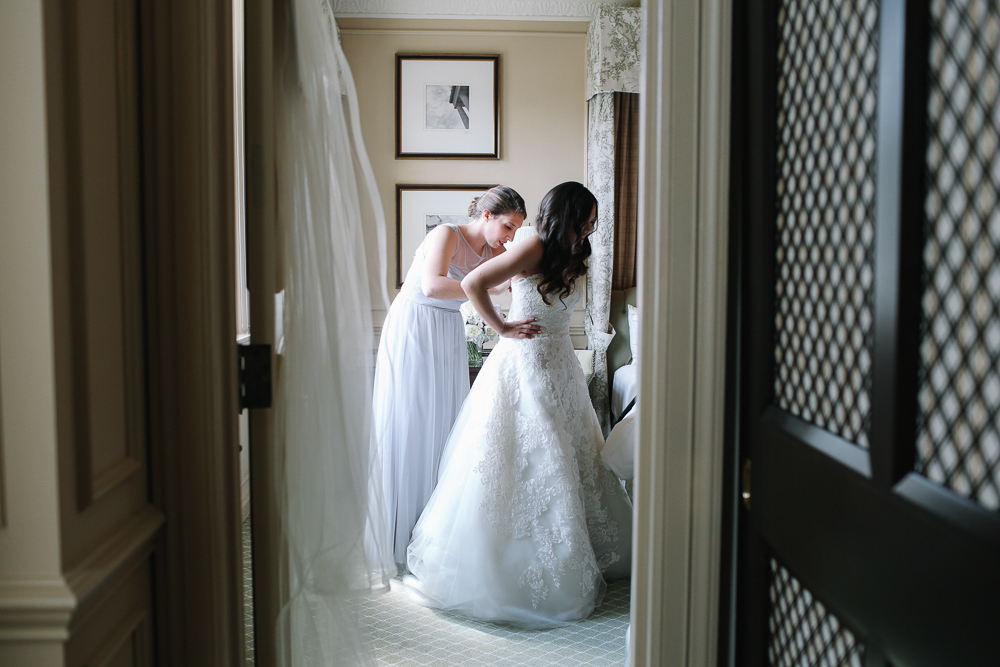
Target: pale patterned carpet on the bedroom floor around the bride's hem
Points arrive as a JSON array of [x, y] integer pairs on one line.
[[404, 634]]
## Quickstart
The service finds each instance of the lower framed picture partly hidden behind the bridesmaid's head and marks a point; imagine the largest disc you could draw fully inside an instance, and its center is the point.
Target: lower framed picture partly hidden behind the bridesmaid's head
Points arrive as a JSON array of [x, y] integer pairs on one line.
[[421, 208]]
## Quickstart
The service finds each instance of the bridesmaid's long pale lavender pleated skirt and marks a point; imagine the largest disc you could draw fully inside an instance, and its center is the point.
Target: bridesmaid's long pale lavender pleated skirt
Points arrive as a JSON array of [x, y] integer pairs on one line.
[[421, 380]]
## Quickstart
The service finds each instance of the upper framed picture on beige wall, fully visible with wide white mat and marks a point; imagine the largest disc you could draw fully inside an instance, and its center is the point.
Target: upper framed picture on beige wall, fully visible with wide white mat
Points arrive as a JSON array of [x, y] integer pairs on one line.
[[447, 106]]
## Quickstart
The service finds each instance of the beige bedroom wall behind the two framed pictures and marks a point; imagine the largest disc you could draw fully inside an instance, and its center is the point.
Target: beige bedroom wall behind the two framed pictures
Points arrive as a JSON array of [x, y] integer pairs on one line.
[[543, 113]]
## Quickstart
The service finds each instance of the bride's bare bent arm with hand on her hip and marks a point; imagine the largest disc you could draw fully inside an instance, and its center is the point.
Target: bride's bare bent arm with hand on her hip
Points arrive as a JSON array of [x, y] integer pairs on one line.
[[521, 259]]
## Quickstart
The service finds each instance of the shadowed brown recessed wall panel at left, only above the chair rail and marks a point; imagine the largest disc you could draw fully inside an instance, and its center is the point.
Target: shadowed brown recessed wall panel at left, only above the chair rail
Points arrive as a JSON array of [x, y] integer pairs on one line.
[[97, 232]]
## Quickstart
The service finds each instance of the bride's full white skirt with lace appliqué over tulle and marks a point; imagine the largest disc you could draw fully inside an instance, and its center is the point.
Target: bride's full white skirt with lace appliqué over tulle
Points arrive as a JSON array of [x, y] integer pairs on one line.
[[525, 524]]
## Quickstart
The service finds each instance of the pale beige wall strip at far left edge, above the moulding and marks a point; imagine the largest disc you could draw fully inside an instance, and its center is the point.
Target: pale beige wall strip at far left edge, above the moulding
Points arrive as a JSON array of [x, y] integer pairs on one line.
[[29, 517]]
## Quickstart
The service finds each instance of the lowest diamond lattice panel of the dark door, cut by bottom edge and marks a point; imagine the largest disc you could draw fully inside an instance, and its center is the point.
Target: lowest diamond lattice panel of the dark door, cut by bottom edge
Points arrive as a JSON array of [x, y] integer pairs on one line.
[[803, 632]]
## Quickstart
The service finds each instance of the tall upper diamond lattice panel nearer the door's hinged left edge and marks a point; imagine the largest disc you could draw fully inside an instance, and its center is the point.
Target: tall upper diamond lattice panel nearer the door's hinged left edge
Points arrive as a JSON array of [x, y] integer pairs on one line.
[[827, 65]]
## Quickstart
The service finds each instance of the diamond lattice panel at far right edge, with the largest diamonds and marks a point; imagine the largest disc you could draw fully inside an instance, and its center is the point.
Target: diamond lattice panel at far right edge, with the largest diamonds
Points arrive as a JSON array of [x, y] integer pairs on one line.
[[958, 429]]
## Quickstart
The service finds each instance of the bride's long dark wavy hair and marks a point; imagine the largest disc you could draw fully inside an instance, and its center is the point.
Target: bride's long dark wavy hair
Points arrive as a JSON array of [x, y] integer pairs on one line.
[[562, 215]]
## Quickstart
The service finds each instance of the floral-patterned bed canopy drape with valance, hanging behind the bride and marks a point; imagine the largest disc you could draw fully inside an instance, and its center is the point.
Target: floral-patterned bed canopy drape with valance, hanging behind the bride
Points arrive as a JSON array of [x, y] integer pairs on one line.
[[612, 66]]
